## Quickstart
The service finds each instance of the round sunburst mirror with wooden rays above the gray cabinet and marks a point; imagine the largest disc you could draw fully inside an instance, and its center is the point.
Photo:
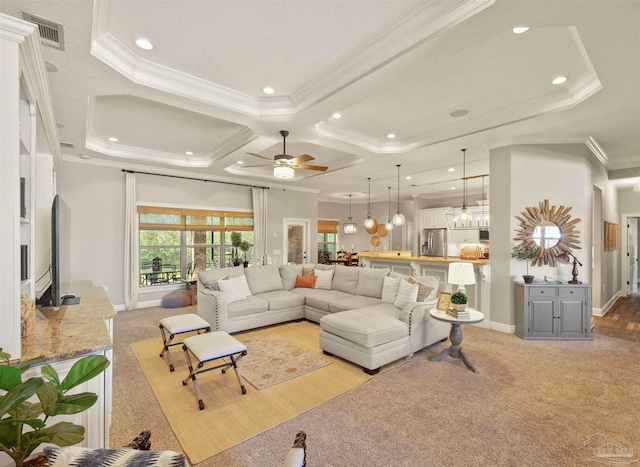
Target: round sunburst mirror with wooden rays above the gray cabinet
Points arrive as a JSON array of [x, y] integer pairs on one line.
[[549, 231]]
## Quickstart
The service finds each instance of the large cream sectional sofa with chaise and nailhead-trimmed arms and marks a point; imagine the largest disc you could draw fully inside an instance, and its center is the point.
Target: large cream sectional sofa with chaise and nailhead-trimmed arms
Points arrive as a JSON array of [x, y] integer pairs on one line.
[[358, 322]]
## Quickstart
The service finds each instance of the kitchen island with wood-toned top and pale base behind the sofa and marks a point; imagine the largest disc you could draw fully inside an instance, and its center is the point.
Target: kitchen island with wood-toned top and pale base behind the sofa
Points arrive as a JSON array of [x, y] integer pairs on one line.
[[401, 261]]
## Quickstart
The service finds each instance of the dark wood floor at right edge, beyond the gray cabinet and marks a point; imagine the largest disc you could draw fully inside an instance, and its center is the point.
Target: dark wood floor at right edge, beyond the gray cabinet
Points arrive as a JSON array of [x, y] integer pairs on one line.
[[622, 321]]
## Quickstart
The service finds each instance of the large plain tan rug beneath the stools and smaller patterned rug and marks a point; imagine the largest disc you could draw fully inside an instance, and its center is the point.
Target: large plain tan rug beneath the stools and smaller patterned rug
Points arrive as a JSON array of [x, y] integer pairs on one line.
[[230, 417]]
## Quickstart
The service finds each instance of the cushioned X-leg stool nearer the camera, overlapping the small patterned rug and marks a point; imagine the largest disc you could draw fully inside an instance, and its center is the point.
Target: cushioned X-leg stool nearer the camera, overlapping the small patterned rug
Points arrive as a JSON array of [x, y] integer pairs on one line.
[[208, 347]]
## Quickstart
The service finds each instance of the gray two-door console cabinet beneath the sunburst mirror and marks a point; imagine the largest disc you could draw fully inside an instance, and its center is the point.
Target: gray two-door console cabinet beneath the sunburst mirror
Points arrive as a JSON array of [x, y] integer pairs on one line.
[[550, 311]]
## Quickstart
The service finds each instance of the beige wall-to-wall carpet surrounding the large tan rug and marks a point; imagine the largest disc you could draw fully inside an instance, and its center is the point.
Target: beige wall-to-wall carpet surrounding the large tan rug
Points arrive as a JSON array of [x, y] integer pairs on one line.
[[531, 403]]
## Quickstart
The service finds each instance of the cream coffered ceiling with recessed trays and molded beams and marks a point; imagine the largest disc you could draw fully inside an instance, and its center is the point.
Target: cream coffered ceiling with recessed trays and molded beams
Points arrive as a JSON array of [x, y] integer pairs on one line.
[[440, 75]]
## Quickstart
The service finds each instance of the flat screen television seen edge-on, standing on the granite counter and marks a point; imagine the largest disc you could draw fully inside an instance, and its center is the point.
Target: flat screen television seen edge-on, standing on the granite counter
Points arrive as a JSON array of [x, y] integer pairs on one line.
[[57, 294]]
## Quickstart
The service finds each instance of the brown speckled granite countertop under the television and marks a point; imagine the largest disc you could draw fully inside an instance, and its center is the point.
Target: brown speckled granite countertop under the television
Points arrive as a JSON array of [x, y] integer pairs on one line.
[[71, 331]]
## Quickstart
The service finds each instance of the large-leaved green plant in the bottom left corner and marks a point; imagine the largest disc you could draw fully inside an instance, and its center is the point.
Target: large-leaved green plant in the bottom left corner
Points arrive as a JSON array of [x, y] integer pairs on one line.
[[16, 413]]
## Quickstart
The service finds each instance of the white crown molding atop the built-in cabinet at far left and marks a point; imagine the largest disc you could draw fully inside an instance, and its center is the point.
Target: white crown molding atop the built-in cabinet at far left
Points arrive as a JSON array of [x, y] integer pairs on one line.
[[34, 74]]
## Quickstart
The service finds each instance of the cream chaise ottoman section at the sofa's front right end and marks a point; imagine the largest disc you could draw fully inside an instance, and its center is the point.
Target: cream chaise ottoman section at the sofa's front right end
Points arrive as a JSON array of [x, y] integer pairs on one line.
[[371, 337]]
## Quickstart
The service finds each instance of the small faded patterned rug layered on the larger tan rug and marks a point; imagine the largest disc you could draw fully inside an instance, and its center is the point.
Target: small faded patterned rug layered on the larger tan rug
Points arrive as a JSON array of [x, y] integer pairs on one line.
[[271, 360]]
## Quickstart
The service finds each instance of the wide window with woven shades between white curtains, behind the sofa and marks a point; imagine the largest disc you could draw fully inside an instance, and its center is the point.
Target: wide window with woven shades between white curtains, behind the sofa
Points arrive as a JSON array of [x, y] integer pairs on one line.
[[180, 242]]
